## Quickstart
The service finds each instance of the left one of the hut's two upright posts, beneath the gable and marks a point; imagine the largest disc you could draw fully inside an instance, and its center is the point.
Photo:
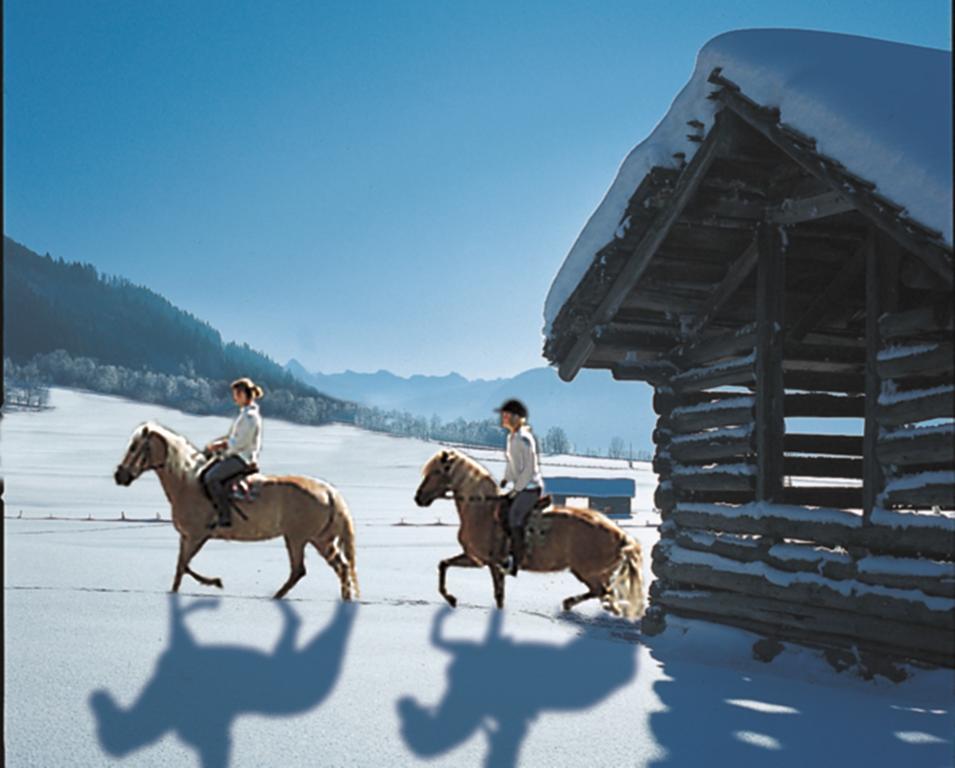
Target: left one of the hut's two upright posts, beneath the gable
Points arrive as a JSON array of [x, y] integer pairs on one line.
[[770, 392]]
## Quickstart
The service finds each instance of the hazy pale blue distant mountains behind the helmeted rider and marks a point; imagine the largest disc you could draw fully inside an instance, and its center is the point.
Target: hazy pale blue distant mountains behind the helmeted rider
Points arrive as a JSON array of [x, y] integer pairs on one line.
[[592, 409]]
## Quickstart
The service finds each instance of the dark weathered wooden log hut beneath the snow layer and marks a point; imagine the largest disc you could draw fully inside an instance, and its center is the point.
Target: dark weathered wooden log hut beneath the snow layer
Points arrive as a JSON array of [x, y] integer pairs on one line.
[[763, 281]]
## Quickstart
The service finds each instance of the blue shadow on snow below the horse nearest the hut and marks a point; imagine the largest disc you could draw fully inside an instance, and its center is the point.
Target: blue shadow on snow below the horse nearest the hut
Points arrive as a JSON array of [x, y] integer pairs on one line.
[[500, 685]]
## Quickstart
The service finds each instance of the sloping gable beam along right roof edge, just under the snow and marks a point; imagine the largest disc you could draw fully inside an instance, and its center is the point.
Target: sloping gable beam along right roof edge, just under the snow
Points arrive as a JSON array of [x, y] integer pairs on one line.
[[933, 254]]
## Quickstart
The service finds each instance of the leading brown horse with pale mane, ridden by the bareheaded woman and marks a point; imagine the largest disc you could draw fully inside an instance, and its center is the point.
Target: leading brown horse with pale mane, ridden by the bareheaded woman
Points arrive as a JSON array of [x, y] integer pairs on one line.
[[302, 509]]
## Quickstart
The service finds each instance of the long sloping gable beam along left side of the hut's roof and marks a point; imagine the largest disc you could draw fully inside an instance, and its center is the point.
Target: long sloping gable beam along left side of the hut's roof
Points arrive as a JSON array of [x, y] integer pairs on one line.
[[645, 249]]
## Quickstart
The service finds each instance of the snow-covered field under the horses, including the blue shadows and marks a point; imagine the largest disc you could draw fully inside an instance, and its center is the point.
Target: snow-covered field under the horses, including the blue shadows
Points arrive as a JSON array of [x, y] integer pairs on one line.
[[103, 667]]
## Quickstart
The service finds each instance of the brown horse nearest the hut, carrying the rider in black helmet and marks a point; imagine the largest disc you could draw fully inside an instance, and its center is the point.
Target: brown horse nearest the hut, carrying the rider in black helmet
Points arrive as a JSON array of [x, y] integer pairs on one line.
[[595, 550]]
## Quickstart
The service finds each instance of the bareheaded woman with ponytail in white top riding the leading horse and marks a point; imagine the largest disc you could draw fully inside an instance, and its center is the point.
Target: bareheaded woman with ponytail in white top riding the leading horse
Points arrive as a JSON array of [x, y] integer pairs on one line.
[[236, 453]]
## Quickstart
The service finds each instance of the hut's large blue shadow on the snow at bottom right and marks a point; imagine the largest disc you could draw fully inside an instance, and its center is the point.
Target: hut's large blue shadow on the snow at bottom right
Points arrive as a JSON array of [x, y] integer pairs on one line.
[[716, 715]]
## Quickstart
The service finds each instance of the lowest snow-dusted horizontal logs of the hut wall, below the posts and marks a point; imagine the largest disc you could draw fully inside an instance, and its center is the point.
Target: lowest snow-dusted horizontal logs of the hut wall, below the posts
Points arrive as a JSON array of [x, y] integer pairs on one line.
[[815, 575]]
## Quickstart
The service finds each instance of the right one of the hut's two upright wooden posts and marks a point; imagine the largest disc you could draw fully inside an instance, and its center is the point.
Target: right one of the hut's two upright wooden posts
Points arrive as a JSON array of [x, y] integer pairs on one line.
[[881, 295]]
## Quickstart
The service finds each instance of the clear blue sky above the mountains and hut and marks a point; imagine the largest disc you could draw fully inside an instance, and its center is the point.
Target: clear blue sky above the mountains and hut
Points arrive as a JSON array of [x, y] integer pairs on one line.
[[358, 185]]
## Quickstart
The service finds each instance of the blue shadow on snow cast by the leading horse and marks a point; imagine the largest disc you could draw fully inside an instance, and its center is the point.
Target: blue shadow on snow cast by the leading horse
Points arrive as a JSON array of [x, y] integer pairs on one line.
[[197, 691]]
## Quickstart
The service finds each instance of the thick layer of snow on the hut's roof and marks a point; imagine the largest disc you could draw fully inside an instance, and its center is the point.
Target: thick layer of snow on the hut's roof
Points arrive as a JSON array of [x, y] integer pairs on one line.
[[883, 109]]
